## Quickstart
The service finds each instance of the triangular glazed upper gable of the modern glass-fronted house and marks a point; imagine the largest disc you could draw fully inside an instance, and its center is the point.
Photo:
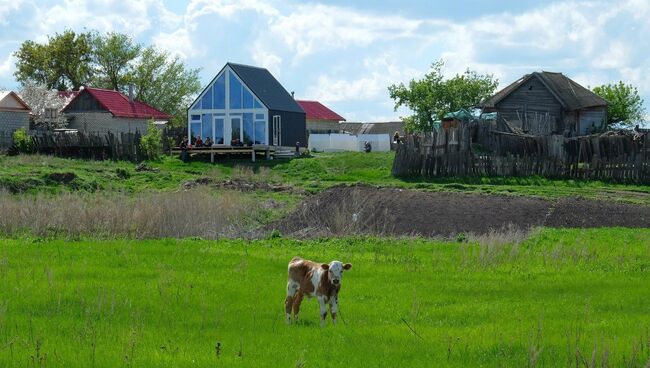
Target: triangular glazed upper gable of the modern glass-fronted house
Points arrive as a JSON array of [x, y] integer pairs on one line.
[[213, 96]]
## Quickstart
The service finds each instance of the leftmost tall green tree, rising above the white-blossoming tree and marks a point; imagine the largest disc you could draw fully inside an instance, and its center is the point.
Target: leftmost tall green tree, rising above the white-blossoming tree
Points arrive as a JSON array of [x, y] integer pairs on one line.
[[63, 63]]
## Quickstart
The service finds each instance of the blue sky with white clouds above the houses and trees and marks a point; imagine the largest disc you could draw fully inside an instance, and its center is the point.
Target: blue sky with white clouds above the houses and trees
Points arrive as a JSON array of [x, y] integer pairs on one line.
[[346, 53]]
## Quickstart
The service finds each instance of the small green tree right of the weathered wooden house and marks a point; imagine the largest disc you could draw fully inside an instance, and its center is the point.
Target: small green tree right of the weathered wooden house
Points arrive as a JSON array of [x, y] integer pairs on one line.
[[625, 105]]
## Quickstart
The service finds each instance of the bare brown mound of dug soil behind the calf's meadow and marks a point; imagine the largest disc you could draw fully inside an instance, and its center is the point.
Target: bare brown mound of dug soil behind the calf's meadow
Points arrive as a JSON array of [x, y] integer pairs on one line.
[[364, 209]]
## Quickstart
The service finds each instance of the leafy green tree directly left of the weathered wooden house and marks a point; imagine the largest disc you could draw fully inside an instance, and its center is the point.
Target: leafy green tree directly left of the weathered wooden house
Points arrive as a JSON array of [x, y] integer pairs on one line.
[[433, 96]]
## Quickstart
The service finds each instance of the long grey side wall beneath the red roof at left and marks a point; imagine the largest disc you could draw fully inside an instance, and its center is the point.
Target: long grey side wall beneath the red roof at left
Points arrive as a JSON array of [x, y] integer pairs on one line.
[[103, 122]]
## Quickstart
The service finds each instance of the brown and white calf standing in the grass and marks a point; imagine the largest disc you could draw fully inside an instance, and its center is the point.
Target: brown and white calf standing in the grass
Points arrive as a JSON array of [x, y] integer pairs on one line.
[[321, 280]]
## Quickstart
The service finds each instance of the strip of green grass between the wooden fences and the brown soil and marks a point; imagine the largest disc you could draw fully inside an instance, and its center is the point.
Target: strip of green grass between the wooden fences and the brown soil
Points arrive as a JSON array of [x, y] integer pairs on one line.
[[33, 174]]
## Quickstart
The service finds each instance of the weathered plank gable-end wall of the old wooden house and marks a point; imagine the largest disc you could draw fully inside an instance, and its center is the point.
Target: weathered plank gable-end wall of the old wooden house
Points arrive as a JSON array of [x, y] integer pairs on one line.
[[528, 103]]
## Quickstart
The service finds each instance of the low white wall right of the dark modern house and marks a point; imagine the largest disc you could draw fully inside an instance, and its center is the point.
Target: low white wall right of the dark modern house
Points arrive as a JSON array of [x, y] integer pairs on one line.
[[347, 142]]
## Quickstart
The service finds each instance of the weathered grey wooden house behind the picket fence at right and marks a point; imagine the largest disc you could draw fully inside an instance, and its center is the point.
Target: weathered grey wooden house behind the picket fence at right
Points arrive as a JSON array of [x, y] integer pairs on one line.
[[545, 103]]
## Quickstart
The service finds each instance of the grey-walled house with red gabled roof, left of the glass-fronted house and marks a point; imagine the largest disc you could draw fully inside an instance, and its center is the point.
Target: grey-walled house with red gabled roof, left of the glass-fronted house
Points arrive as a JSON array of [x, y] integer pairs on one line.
[[96, 110]]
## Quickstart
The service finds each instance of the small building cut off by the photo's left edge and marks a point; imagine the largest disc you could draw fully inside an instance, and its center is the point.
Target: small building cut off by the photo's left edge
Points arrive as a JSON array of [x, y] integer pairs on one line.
[[14, 114]]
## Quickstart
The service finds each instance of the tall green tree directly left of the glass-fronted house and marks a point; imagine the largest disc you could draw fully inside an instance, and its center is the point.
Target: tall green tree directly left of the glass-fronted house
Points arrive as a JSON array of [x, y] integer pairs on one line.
[[165, 83]]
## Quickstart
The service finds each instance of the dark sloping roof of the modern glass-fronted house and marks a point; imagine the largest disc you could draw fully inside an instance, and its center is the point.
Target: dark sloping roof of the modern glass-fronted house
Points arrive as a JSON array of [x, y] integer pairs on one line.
[[262, 83]]
